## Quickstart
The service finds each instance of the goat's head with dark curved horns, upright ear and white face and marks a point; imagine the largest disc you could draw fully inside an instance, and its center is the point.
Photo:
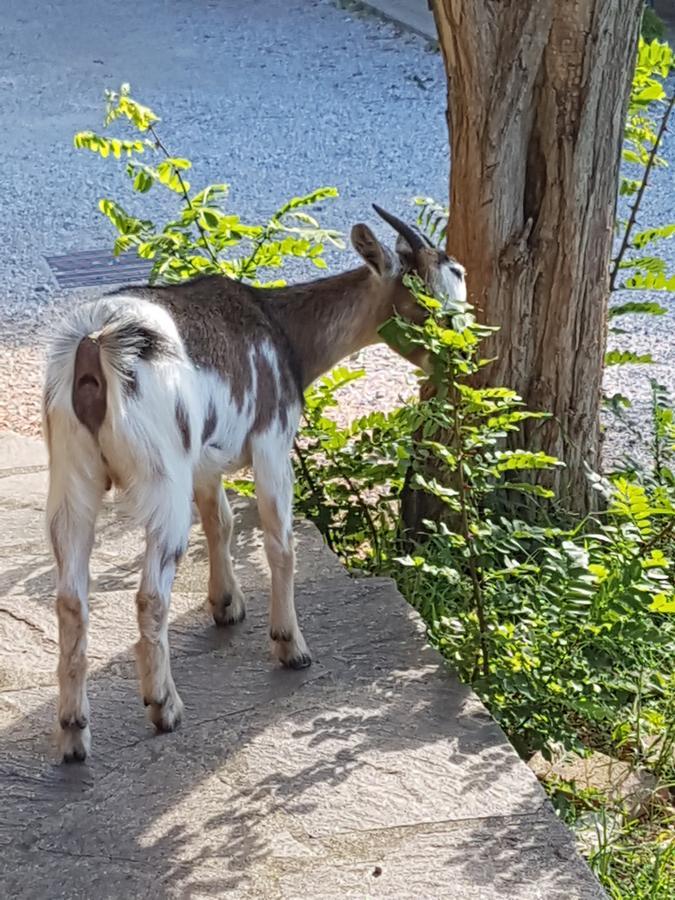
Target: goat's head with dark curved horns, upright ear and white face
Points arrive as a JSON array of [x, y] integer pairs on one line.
[[442, 274]]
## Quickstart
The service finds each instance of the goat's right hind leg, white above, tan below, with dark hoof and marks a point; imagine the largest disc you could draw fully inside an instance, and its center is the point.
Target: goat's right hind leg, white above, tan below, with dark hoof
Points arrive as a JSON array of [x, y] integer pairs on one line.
[[166, 542]]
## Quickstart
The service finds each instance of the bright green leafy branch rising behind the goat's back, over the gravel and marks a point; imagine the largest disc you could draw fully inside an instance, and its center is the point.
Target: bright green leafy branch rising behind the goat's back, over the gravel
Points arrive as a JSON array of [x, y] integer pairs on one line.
[[202, 238]]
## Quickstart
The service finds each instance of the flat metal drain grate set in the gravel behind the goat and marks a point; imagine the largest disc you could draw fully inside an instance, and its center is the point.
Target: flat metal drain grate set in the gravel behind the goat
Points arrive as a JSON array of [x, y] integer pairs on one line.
[[89, 268]]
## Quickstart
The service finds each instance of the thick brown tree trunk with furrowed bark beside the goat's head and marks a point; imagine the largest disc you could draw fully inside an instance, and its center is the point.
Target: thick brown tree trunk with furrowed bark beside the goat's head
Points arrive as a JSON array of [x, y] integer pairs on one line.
[[537, 97]]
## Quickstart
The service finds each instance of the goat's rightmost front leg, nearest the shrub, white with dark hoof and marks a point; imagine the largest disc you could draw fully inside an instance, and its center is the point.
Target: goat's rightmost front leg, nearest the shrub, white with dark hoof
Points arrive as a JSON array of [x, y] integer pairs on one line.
[[274, 489]]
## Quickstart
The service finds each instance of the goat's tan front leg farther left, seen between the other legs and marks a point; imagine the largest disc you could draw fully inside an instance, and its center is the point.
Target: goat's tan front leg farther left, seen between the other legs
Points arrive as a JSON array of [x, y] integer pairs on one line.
[[225, 597]]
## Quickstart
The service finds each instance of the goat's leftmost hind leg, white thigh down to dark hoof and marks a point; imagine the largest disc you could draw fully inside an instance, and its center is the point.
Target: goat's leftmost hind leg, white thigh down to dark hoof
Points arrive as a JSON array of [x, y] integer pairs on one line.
[[76, 485]]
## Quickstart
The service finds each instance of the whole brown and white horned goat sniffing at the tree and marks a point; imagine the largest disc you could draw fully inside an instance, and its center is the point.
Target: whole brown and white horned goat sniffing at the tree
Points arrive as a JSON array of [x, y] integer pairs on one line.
[[160, 391]]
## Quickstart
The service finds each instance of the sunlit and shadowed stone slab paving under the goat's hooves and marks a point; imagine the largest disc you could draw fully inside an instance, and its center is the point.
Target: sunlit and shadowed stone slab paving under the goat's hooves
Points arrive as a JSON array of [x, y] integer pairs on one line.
[[371, 774]]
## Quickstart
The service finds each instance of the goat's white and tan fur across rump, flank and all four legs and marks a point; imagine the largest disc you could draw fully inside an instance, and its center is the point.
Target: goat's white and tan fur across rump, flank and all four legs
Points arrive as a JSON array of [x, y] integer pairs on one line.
[[140, 445]]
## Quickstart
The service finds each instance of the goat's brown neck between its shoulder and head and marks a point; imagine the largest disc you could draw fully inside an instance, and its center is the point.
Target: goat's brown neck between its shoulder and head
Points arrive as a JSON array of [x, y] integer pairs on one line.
[[327, 320]]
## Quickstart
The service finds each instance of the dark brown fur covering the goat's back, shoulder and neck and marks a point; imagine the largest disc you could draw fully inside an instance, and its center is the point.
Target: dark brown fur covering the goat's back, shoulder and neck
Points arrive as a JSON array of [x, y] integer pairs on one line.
[[310, 326]]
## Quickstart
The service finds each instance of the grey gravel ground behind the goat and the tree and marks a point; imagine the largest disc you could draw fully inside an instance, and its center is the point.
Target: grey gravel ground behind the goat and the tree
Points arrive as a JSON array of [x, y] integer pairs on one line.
[[276, 100]]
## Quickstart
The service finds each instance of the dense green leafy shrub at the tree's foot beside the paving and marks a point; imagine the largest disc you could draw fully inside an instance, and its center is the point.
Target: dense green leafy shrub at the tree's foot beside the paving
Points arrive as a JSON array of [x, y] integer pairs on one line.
[[559, 629]]
